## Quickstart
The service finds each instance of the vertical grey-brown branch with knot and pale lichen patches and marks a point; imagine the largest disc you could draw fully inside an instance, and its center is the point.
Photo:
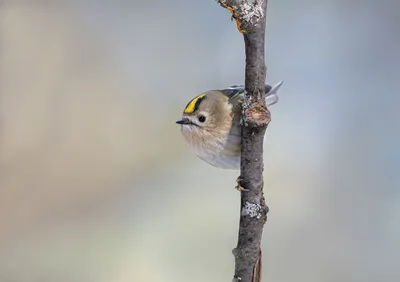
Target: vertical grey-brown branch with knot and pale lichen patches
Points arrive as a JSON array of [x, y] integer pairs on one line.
[[250, 17]]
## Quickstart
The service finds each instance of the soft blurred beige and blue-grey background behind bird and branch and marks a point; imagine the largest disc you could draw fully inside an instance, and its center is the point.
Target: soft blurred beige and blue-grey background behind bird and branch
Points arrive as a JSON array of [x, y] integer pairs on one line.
[[97, 184]]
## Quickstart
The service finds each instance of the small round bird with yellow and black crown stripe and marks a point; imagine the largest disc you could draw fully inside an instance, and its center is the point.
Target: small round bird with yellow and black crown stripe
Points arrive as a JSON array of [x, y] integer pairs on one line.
[[210, 124]]
